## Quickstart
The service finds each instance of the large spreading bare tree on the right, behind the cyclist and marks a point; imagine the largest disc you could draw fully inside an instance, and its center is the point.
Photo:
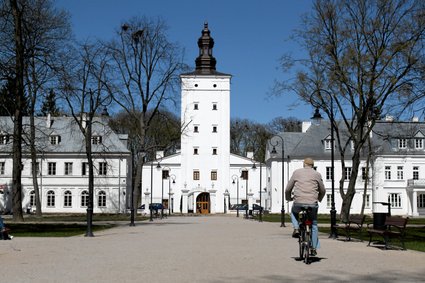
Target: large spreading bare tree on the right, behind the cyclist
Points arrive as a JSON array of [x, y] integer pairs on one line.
[[364, 56]]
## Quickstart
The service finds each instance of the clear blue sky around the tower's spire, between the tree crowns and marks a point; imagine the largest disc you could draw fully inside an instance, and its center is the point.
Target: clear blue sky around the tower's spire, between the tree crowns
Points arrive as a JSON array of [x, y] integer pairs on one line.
[[250, 36]]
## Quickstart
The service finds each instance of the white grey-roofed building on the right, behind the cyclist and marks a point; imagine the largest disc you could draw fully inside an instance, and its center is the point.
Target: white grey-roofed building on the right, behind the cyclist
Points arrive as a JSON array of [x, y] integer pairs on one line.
[[396, 169]]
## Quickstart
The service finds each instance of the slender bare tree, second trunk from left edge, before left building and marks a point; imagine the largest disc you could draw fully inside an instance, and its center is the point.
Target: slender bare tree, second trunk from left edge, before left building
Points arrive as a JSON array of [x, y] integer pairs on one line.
[[47, 32]]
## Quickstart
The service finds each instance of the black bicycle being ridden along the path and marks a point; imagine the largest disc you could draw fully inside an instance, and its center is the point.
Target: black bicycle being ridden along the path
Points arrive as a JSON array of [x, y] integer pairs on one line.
[[305, 239]]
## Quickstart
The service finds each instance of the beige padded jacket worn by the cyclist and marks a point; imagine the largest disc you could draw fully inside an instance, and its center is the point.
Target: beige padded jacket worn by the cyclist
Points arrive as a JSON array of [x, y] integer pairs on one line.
[[305, 186]]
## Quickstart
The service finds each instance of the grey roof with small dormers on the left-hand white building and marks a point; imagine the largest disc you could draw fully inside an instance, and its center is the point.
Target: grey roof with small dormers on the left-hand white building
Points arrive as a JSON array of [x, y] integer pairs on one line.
[[71, 138]]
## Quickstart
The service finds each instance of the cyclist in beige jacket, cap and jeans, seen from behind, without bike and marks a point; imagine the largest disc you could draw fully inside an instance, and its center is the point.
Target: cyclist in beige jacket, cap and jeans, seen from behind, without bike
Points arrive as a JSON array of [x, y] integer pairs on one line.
[[306, 189]]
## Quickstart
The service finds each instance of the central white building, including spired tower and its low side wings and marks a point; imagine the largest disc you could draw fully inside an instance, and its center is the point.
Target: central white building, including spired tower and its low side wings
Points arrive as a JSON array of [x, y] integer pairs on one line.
[[204, 177]]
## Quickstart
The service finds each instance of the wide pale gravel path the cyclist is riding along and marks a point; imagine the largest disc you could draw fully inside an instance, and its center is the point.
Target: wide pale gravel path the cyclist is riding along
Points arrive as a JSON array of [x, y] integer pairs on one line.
[[200, 249]]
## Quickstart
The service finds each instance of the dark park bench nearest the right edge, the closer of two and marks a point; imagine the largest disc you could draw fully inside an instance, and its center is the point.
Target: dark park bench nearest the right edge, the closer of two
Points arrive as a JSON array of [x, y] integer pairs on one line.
[[394, 227]]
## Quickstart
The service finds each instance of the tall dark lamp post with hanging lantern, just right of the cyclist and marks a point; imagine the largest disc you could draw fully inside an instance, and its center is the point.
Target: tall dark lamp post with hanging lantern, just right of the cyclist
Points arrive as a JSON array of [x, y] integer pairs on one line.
[[317, 117]]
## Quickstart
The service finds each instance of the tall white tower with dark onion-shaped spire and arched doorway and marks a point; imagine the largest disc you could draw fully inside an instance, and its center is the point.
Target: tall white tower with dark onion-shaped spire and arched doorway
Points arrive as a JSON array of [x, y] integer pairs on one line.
[[205, 140]]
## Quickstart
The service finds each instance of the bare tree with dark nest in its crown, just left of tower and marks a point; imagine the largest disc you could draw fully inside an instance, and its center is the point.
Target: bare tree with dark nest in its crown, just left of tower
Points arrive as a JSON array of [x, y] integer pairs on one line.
[[147, 66]]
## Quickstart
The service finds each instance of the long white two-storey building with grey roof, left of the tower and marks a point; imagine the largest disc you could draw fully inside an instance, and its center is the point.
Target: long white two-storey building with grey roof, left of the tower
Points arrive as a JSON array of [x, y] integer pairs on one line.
[[62, 168]]
